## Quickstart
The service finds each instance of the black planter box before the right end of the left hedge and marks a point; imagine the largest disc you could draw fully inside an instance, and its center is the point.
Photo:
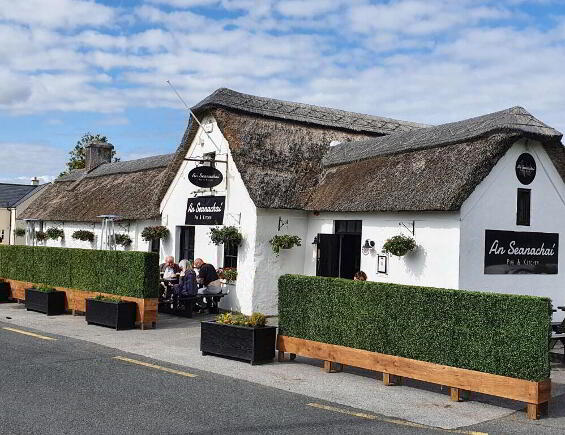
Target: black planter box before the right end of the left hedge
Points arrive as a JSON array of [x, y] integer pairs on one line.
[[117, 315]]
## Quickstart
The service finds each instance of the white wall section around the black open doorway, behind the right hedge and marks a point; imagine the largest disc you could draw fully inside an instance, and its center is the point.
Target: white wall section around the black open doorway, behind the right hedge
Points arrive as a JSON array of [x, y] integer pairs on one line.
[[434, 263]]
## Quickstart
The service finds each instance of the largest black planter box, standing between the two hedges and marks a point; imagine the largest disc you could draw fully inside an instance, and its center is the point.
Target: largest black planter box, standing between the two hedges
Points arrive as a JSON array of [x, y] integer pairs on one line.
[[241, 342]]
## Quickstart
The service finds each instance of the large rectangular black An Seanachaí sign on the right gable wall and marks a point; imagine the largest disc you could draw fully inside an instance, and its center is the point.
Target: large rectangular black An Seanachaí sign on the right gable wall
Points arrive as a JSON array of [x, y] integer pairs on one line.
[[510, 252]]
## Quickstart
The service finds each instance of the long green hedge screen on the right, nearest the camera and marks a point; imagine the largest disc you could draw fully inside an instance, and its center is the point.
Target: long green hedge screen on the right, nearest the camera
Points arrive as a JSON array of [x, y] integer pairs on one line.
[[488, 332]]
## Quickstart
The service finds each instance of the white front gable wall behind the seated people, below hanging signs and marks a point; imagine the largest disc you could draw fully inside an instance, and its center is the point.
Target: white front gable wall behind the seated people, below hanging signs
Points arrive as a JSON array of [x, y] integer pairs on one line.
[[240, 212]]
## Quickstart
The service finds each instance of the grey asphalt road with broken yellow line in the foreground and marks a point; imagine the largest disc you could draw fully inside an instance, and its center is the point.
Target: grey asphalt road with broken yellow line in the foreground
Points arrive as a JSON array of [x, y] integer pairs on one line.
[[67, 386]]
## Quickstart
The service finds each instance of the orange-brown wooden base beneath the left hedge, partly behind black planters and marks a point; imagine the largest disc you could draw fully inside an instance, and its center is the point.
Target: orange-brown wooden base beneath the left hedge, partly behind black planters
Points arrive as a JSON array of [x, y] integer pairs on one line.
[[75, 301]]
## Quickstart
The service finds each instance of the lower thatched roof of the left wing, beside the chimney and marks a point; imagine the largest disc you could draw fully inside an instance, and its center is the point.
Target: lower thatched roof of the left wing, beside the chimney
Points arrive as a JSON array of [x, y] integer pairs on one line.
[[126, 189]]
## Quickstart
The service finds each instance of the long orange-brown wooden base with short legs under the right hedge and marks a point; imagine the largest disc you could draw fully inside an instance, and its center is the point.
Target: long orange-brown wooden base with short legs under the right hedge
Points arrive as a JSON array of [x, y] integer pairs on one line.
[[535, 394]]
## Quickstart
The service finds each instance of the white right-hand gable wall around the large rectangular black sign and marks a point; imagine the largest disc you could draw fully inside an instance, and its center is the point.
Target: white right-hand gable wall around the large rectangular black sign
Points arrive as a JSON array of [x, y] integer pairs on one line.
[[493, 206]]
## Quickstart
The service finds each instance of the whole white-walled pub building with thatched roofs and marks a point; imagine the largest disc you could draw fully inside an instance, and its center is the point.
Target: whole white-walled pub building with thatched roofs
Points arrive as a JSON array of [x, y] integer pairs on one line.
[[484, 198]]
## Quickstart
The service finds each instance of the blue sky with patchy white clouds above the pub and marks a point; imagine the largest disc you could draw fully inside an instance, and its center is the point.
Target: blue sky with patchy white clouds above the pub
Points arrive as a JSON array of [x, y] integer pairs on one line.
[[68, 67]]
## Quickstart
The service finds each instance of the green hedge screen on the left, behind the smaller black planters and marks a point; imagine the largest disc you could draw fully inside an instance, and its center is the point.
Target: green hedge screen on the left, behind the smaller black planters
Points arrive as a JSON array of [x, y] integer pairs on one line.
[[123, 273]]
